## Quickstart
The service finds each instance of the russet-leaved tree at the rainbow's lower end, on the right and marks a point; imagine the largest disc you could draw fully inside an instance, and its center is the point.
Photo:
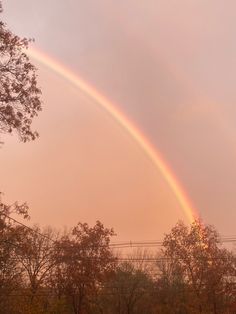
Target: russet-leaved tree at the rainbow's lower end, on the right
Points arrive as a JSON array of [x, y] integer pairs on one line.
[[206, 272]]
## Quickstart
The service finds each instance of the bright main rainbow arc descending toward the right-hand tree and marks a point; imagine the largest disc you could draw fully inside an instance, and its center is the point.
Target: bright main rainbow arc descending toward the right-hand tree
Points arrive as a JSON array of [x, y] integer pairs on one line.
[[113, 110]]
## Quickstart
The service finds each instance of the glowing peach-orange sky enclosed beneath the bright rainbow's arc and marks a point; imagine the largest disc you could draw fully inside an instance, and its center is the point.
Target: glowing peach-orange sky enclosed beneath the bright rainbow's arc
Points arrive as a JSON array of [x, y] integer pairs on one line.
[[85, 167]]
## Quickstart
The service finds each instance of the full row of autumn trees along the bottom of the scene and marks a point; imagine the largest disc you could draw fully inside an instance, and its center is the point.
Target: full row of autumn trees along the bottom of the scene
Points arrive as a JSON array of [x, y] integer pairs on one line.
[[78, 271]]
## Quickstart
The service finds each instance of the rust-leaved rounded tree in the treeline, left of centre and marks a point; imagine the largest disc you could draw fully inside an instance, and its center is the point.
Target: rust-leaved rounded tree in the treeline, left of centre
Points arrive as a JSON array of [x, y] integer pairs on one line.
[[84, 259]]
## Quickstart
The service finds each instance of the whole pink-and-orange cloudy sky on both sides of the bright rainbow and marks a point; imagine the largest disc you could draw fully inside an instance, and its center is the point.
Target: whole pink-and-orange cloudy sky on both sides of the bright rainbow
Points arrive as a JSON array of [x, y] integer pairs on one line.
[[170, 66]]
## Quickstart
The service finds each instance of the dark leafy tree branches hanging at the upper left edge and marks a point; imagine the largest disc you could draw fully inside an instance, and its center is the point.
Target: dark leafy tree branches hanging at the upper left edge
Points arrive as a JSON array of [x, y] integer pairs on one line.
[[19, 93]]
